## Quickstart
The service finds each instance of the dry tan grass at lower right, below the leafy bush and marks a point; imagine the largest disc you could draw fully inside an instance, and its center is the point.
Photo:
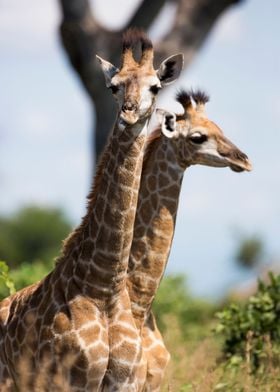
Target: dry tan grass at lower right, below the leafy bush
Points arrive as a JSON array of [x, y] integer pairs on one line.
[[197, 365]]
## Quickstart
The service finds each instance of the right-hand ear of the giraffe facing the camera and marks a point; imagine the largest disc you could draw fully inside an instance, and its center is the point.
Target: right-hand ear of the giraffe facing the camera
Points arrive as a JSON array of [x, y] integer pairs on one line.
[[170, 69]]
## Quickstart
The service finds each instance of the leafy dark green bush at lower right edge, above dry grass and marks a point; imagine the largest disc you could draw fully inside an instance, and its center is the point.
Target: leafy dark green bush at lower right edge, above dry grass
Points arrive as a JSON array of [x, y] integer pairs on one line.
[[252, 330]]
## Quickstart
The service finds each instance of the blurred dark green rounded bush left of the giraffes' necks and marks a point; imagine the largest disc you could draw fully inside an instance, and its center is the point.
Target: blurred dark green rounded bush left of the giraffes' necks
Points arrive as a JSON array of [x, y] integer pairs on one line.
[[33, 233]]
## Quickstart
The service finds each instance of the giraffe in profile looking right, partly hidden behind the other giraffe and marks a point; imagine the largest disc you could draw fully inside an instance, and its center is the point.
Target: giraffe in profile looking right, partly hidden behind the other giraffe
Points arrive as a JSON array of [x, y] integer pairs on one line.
[[183, 140]]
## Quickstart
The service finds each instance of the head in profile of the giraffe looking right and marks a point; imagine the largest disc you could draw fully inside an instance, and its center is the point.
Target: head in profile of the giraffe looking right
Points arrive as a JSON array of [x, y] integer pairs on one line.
[[197, 139]]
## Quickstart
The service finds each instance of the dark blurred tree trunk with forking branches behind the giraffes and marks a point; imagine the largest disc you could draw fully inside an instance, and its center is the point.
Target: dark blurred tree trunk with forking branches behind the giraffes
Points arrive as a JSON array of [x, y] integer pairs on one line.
[[83, 37]]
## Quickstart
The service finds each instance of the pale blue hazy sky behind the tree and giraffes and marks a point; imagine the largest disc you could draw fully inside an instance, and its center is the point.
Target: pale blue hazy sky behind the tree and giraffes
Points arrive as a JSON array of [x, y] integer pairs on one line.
[[46, 121]]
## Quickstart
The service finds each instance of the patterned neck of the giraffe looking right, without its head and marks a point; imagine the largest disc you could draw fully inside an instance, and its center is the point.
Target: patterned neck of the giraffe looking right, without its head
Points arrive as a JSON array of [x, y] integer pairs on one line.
[[154, 224]]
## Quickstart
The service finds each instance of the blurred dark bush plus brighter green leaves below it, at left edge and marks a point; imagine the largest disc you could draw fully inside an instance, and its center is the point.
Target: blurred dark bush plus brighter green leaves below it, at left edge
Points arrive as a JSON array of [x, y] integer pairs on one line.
[[30, 240]]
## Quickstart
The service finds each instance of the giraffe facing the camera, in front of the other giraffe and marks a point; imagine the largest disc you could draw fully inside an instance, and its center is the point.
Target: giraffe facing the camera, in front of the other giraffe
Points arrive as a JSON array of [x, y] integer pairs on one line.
[[75, 326]]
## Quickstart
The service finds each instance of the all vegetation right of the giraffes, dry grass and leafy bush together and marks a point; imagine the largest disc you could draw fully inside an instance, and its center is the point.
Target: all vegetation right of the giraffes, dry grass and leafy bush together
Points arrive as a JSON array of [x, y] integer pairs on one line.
[[197, 343]]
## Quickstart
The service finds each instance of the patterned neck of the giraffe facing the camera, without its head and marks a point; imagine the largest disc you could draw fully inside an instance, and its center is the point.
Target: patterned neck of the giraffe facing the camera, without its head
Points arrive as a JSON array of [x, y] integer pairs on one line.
[[96, 255]]
